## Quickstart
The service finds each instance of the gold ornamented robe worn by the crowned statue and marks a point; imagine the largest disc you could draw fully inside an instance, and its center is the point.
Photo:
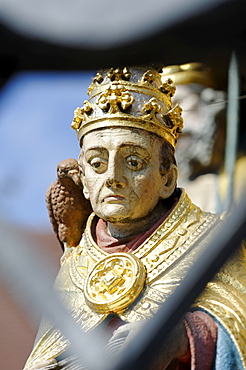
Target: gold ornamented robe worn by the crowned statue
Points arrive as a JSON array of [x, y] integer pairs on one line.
[[166, 256]]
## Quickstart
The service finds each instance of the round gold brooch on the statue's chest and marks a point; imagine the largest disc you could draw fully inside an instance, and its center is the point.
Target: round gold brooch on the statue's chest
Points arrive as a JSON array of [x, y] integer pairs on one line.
[[114, 283]]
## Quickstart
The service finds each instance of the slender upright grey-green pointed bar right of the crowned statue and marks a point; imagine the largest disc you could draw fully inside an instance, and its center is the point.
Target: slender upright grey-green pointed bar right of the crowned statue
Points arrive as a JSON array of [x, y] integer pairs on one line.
[[232, 127]]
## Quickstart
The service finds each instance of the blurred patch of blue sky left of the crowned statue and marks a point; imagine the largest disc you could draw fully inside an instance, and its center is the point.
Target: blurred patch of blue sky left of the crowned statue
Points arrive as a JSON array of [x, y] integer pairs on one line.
[[36, 109]]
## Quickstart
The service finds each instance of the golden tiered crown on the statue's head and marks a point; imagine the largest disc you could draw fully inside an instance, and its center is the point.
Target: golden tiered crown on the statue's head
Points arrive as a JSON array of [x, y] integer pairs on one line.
[[130, 97]]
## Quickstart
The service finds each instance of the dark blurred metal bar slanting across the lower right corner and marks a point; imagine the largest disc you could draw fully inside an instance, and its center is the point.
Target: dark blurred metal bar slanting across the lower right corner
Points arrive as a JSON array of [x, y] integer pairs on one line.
[[147, 345]]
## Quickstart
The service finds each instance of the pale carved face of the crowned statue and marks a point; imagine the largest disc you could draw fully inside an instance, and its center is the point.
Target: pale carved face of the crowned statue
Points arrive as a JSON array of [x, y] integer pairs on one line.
[[122, 175]]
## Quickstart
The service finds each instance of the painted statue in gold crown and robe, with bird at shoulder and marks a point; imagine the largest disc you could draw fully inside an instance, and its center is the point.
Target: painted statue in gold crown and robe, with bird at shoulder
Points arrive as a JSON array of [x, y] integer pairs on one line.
[[143, 235]]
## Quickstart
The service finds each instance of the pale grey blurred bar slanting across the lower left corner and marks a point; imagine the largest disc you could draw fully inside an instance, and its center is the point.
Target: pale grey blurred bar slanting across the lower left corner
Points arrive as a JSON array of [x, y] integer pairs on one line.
[[28, 279]]
